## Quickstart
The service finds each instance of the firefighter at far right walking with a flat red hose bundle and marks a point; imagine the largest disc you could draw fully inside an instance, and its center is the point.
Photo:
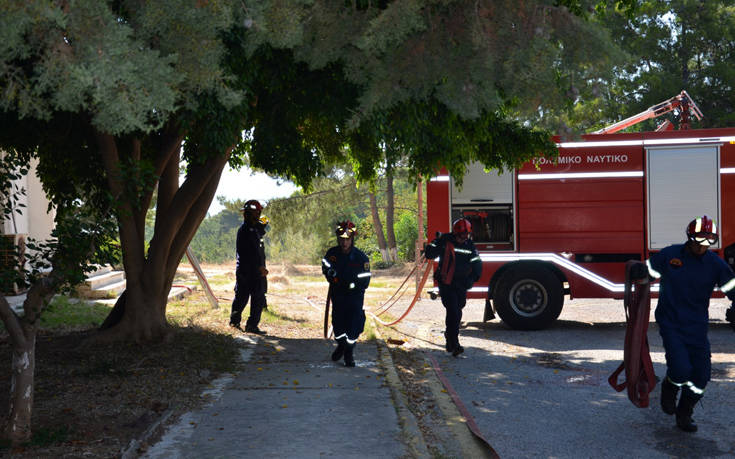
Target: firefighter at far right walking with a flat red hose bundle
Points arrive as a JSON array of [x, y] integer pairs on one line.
[[689, 273]]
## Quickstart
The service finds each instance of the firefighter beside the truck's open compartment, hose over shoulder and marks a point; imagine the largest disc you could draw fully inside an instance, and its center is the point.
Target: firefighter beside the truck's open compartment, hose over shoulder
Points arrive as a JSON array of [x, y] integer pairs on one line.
[[459, 268]]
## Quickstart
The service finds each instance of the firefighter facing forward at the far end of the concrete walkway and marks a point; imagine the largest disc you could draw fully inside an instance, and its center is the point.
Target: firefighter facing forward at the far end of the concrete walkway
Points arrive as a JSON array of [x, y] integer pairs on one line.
[[347, 270]]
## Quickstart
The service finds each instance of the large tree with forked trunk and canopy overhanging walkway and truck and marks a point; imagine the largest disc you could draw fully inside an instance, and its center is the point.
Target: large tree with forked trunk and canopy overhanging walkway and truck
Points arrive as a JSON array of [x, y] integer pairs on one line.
[[144, 85]]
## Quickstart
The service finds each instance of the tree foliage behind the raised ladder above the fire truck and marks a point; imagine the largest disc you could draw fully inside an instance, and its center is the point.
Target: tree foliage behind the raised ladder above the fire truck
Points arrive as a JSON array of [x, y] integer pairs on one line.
[[670, 46]]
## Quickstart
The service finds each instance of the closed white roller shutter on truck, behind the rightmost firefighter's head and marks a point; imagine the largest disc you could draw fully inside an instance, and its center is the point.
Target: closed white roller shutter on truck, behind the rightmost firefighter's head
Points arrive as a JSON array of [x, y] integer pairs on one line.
[[683, 182]]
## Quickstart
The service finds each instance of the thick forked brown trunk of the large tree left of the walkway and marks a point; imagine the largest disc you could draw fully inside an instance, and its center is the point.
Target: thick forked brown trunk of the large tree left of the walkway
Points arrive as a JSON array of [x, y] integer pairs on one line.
[[140, 313]]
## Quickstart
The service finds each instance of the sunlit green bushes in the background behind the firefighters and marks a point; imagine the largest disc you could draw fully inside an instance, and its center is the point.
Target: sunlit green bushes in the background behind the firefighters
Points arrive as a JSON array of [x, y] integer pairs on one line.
[[301, 226]]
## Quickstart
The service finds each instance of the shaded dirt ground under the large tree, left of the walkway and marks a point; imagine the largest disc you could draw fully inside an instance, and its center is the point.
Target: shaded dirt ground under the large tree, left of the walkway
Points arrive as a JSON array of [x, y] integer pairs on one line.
[[91, 401]]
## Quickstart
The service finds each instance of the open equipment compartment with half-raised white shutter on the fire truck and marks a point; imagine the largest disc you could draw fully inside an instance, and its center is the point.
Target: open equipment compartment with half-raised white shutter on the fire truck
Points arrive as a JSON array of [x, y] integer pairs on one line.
[[486, 200]]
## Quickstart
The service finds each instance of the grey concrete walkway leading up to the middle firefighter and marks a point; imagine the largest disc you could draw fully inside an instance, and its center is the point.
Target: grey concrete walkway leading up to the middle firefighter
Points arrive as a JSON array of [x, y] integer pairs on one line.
[[290, 400]]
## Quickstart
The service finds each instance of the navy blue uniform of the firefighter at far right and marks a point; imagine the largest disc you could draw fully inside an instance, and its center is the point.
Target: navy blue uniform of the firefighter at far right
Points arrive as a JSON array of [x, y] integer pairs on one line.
[[682, 313]]
